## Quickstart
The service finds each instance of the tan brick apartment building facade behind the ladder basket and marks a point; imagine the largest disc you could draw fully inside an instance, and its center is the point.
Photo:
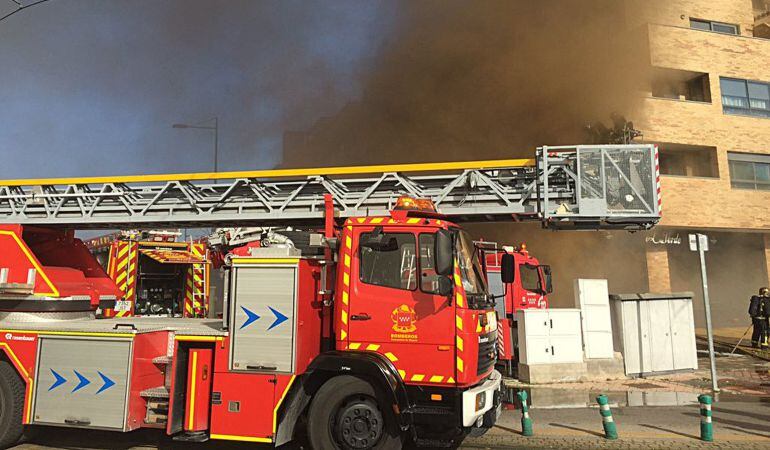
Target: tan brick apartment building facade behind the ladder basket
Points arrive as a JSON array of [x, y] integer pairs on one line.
[[707, 106]]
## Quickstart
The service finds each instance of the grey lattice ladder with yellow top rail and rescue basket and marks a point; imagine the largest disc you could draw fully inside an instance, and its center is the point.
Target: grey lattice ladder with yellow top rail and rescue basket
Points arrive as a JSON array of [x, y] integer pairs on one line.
[[611, 186]]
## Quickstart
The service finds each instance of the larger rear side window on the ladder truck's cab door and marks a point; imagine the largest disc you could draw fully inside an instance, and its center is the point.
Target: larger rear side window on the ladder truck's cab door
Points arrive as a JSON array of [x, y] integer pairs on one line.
[[393, 265]]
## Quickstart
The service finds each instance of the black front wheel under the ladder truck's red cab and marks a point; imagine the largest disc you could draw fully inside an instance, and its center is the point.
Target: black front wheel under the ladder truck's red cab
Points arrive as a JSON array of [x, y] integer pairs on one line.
[[347, 406]]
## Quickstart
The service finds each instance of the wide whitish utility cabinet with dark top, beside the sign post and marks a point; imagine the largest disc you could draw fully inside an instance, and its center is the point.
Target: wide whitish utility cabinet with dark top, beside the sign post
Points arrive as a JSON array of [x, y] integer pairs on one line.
[[655, 332]]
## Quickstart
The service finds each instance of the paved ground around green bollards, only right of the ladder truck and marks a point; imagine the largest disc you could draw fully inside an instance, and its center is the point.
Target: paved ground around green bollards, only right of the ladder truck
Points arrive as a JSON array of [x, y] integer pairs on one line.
[[744, 425]]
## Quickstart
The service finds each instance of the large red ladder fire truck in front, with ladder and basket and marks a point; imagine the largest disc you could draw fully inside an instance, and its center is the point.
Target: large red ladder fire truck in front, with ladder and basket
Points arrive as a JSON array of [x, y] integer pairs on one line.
[[378, 329]]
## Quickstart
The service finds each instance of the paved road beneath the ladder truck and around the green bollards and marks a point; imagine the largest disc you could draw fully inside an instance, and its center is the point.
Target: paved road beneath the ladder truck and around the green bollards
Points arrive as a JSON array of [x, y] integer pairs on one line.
[[739, 425]]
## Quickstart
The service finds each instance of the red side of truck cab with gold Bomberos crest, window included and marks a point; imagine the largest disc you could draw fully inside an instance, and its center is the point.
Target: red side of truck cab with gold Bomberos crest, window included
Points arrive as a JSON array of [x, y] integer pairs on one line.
[[393, 305]]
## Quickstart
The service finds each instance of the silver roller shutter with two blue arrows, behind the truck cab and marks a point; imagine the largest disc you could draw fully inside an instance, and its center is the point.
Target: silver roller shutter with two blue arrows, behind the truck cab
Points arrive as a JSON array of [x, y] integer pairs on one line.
[[263, 299]]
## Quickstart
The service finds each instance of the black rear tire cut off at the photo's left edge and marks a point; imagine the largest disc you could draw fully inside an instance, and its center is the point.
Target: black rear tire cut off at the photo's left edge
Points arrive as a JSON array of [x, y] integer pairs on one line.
[[11, 405]]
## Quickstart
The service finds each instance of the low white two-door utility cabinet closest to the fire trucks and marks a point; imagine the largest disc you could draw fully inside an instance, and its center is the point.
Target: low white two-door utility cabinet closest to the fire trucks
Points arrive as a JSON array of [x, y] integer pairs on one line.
[[549, 336]]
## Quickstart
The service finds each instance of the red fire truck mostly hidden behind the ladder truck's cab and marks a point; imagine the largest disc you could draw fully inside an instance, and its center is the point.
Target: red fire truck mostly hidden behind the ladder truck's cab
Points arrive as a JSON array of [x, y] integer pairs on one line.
[[530, 288]]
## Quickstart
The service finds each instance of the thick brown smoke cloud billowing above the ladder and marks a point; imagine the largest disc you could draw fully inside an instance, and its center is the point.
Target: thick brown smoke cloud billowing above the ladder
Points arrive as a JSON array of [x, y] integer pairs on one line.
[[486, 79]]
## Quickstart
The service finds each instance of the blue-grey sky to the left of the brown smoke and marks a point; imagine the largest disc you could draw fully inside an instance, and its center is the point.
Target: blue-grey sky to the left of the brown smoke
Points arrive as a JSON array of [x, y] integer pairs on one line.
[[92, 87]]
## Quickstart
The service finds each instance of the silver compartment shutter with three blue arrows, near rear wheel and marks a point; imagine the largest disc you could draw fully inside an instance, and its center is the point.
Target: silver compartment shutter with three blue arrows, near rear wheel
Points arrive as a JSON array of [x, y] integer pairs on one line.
[[82, 382]]
